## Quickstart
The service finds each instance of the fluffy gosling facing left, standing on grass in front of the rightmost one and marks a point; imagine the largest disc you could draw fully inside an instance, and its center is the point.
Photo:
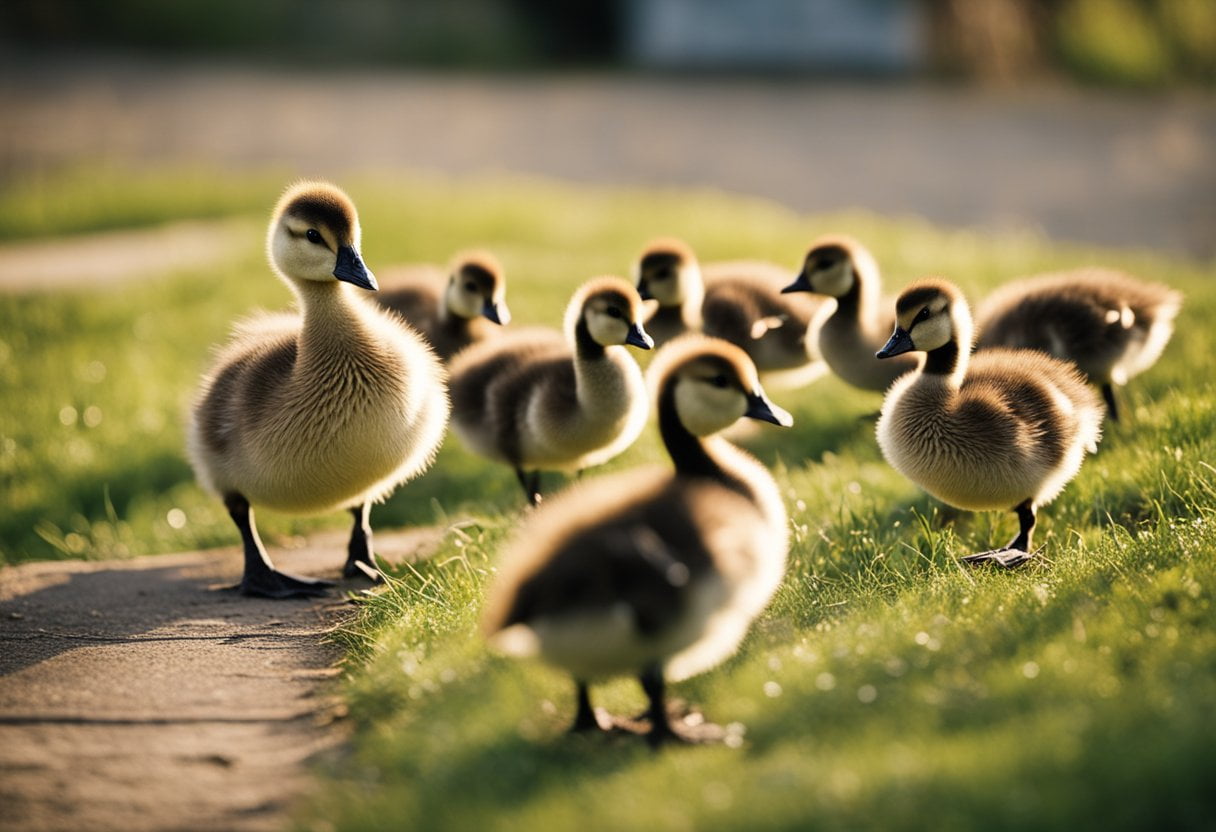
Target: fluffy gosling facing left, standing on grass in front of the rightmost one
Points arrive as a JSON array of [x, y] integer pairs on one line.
[[1000, 430]]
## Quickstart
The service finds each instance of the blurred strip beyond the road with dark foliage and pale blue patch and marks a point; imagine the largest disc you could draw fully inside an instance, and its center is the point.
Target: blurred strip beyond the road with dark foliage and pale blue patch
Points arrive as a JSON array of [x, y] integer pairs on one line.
[[1123, 42]]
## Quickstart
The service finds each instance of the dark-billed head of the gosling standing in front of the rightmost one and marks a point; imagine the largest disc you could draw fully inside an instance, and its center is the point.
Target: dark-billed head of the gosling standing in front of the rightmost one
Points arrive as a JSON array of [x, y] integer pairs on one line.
[[930, 314]]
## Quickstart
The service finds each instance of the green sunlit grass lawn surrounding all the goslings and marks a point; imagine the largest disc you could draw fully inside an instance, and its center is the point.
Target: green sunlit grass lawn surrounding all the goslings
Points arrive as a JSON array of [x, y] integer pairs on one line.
[[886, 688]]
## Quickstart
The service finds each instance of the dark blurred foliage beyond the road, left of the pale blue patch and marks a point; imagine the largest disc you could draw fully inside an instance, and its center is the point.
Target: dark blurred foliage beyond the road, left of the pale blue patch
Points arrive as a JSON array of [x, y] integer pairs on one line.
[[441, 33]]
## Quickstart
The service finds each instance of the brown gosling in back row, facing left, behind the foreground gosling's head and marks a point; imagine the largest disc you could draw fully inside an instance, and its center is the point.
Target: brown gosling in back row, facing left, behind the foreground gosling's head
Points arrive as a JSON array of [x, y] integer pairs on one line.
[[739, 301]]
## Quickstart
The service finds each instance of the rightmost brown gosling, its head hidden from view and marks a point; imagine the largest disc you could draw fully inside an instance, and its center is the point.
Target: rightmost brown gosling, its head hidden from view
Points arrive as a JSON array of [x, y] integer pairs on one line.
[[1110, 324]]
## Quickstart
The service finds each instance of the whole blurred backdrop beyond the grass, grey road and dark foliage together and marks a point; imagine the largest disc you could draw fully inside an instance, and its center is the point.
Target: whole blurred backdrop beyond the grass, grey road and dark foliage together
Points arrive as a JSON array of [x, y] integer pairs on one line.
[[1086, 121]]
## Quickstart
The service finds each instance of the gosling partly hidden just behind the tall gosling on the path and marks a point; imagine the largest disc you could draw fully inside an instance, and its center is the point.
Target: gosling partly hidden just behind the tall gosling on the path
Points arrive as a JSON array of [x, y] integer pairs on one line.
[[452, 312]]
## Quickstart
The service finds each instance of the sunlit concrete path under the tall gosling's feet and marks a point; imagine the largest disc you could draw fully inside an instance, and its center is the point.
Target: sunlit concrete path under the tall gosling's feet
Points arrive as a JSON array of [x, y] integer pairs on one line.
[[137, 696]]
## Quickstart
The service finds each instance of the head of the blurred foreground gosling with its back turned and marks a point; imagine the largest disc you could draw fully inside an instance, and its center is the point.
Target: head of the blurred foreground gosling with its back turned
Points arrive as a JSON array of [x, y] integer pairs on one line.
[[712, 384]]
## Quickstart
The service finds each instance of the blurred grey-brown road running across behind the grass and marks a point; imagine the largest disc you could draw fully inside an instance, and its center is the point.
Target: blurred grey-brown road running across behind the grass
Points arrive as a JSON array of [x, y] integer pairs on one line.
[[1113, 168]]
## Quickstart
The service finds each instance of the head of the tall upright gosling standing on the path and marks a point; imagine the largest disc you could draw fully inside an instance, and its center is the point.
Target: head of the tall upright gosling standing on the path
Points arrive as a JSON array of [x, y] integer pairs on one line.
[[314, 237]]
